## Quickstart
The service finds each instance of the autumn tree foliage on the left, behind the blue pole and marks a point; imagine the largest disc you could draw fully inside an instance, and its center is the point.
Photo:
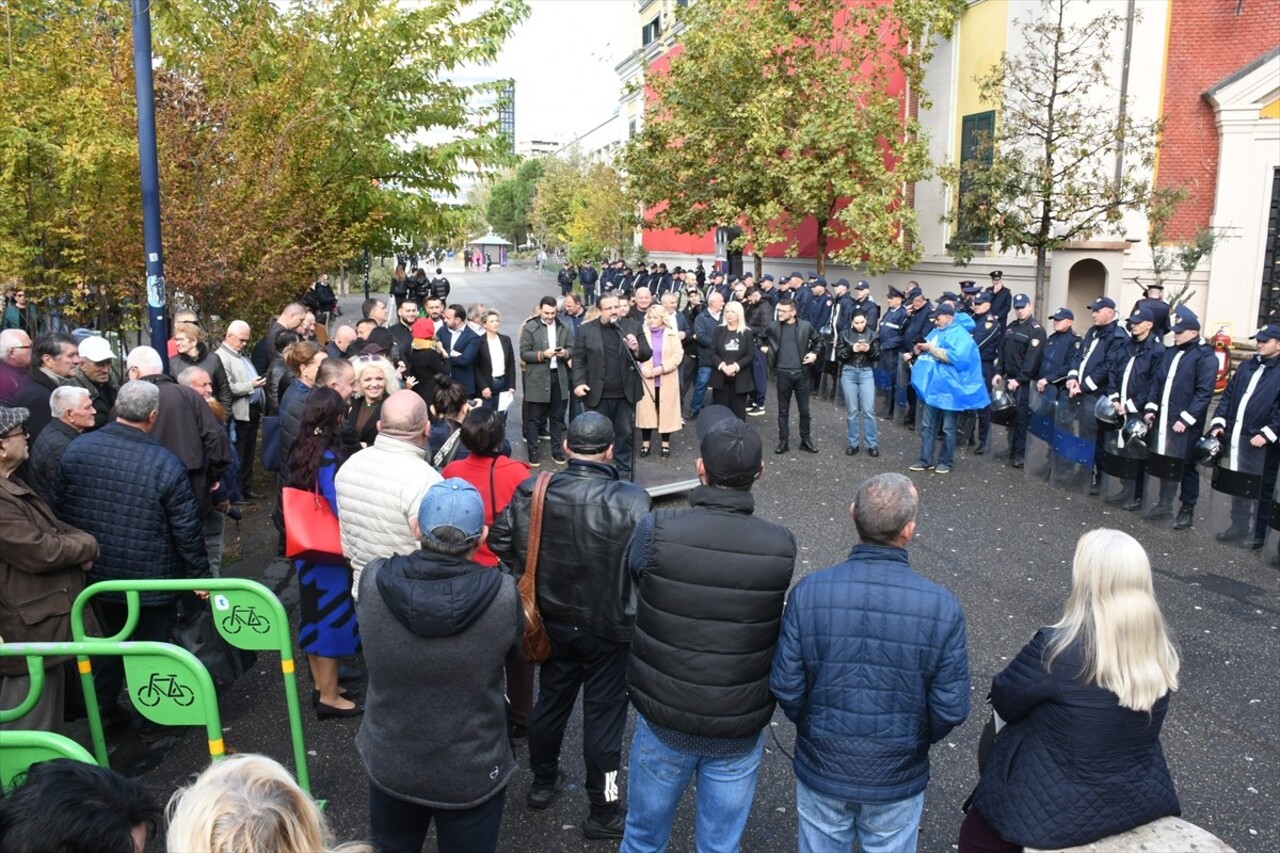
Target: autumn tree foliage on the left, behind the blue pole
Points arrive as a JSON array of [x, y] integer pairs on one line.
[[290, 139]]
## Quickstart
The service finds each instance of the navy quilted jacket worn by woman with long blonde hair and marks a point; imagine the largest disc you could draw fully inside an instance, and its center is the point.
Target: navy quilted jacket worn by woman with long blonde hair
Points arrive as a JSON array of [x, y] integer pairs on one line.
[[1072, 767]]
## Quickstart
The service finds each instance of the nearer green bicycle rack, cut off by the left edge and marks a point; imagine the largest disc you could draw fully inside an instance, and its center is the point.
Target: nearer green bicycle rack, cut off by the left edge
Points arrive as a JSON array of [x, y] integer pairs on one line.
[[168, 686]]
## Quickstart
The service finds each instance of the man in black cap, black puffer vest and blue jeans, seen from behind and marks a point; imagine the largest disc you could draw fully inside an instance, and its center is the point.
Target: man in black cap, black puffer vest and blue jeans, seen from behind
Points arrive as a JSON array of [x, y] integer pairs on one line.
[[702, 697]]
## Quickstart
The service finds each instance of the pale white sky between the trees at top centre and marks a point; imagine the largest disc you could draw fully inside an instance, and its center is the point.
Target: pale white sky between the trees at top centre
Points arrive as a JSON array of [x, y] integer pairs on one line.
[[563, 60]]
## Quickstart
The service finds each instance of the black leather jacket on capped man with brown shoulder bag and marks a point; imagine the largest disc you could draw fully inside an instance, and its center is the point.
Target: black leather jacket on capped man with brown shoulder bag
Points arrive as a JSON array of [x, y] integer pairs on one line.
[[588, 519]]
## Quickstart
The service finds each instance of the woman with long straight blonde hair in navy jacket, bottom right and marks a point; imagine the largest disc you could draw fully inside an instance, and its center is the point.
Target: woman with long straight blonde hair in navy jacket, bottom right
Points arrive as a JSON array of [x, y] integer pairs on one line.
[[1080, 756]]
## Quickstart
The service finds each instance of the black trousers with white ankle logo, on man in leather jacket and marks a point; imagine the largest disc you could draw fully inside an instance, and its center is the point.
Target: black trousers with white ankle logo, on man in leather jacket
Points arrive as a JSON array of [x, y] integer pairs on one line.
[[598, 668]]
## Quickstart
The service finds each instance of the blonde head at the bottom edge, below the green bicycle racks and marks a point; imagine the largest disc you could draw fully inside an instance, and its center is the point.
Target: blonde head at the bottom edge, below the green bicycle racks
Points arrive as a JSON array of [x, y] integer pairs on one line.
[[249, 804]]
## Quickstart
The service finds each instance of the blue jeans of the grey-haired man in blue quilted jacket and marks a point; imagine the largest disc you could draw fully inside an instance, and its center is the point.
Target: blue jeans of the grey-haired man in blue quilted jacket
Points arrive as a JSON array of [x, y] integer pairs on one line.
[[830, 824]]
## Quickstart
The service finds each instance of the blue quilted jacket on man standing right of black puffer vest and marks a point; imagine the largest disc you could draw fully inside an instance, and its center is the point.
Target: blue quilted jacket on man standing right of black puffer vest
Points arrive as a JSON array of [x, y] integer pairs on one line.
[[872, 668]]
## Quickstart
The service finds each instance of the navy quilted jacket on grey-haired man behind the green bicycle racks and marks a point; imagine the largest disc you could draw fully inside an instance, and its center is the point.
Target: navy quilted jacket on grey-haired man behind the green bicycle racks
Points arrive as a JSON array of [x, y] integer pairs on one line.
[[135, 498]]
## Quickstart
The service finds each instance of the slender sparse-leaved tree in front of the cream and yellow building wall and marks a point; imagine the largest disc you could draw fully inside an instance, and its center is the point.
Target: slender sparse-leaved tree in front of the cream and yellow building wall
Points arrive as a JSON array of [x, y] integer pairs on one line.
[[1049, 174]]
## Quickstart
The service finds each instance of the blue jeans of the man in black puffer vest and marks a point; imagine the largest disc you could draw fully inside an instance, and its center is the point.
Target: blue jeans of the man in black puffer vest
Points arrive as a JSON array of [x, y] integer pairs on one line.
[[659, 778]]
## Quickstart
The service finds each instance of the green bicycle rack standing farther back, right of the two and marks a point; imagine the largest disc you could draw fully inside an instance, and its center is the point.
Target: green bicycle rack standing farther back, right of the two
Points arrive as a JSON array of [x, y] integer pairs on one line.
[[248, 615]]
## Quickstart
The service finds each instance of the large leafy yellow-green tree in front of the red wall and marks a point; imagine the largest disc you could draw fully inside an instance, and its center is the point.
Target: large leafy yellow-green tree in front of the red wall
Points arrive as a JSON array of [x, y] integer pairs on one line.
[[784, 112]]
